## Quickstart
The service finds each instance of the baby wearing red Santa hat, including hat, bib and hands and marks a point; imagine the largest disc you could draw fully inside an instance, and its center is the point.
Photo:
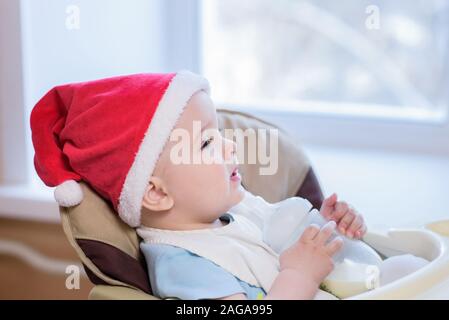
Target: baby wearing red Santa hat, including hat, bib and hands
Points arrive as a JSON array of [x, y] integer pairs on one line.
[[121, 135]]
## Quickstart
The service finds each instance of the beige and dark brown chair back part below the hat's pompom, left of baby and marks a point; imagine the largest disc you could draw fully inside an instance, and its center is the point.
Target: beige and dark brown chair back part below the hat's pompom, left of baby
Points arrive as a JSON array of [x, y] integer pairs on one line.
[[108, 248]]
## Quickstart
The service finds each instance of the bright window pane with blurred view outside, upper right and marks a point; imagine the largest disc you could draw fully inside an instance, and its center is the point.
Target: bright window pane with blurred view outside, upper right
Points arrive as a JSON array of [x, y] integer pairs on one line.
[[389, 59]]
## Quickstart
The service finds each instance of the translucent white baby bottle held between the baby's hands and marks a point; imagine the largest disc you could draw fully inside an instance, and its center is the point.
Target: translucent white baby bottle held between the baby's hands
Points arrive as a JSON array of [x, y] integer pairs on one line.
[[356, 264]]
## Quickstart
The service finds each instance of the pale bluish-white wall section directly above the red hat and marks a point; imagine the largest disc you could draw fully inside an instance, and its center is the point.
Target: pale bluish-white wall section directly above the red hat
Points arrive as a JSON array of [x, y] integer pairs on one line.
[[113, 38]]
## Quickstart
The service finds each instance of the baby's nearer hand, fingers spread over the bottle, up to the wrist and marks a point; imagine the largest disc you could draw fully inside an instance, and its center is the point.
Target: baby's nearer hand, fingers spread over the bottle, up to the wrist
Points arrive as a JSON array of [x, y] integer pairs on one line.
[[311, 255]]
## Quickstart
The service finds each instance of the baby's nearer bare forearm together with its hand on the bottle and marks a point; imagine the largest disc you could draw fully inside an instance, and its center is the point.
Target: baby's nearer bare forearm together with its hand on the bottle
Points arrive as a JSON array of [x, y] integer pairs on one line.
[[304, 265]]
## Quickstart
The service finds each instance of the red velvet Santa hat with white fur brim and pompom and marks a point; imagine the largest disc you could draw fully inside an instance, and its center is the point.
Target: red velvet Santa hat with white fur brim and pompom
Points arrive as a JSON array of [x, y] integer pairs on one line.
[[109, 133]]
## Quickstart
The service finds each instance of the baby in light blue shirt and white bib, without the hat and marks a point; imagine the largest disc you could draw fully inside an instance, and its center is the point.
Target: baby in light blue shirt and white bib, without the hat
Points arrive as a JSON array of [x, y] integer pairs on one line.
[[191, 199]]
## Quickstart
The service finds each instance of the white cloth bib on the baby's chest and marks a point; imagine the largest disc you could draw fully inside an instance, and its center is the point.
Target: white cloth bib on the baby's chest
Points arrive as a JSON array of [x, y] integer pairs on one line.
[[237, 247]]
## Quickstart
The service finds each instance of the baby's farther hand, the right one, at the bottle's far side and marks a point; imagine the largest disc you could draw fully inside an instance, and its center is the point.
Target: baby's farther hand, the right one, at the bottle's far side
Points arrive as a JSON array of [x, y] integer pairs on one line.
[[349, 221]]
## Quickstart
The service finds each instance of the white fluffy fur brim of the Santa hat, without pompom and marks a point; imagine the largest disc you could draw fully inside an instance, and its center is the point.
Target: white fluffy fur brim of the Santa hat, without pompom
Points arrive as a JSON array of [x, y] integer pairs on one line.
[[181, 88]]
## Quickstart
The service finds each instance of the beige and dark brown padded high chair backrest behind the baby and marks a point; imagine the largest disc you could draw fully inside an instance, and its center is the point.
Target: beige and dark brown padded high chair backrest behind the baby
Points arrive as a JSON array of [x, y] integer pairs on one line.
[[109, 249]]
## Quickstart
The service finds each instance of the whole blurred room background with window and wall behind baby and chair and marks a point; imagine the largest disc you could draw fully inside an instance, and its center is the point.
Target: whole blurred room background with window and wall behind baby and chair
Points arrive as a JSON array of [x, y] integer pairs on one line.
[[362, 85]]
